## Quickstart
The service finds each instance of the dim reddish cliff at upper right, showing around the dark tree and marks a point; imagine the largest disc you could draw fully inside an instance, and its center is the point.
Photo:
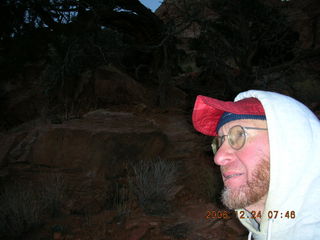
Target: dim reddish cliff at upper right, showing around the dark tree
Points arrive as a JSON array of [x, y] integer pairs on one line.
[[297, 78]]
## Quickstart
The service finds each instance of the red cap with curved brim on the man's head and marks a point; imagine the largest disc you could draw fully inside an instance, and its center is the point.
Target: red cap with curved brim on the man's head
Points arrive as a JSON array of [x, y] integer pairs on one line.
[[208, 111]]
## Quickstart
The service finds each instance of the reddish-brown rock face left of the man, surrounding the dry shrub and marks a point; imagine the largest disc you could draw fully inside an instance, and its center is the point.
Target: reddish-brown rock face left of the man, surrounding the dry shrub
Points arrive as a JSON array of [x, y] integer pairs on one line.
[[93, 152]]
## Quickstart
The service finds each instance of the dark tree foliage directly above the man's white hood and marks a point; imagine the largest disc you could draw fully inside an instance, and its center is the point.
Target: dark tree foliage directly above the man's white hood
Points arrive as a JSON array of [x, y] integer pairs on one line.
[[244, 36]]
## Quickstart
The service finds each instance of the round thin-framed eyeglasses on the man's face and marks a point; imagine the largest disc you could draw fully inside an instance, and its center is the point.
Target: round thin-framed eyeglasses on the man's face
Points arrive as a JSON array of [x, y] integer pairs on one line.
[[236, 138]]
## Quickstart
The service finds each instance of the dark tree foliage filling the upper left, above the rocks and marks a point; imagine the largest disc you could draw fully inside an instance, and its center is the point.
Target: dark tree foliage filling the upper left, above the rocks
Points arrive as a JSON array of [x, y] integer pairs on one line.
[[68, 38]]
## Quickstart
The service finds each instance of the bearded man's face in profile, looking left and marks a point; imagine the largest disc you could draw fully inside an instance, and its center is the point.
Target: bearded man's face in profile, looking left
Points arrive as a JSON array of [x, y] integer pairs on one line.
[[245, 172]]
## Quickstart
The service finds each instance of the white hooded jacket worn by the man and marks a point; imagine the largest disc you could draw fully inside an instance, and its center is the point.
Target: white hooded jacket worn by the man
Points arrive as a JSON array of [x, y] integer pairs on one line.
[[294, 190]]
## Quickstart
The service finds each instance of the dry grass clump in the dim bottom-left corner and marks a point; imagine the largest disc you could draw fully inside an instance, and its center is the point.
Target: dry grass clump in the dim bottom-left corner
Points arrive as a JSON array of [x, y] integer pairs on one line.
[[24, 206]]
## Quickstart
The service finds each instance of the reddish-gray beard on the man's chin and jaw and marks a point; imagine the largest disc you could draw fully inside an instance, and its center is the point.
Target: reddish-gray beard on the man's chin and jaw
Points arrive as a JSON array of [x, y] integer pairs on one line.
[[252, 191]]
